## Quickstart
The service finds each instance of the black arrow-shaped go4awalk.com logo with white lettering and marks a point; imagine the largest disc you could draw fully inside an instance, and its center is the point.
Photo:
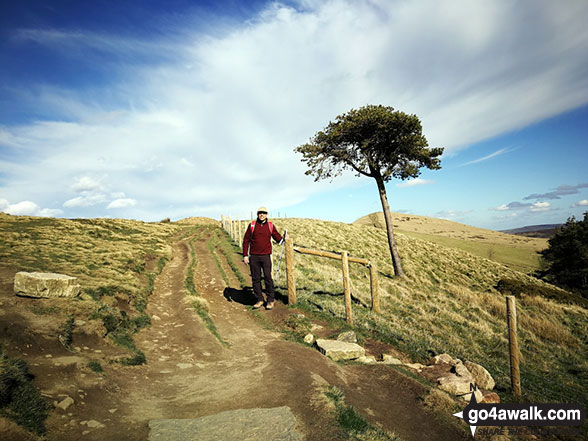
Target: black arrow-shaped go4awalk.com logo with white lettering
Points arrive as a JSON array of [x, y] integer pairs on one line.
[[521, 414]]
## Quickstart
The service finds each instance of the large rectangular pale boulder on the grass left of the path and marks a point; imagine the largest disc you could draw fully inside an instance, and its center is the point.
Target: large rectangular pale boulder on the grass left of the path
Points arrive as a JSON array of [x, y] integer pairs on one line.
[[45, 285]]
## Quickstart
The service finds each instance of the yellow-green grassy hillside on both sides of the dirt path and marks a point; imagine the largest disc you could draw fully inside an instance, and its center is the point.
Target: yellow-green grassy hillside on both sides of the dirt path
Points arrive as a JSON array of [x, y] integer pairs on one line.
[[448, 302]]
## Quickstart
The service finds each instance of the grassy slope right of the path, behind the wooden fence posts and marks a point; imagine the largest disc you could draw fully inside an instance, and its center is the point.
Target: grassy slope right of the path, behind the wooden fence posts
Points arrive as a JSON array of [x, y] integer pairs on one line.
[[448, 302]]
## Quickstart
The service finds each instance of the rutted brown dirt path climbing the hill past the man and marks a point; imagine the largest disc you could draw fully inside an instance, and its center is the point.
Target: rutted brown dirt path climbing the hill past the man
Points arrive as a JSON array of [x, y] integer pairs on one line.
[[190, 374]]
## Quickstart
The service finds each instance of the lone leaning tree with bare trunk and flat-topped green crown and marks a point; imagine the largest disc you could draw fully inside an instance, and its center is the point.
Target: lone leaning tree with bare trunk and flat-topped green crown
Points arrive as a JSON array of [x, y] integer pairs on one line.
[[374, 141]]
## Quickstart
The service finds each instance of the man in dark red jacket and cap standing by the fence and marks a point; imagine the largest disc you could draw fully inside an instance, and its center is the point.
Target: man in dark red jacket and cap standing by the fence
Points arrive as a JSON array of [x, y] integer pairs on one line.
[[257, 253]]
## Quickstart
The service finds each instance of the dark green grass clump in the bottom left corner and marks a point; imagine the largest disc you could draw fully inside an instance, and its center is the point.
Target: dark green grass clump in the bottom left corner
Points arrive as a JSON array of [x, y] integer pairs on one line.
[[19, 398]]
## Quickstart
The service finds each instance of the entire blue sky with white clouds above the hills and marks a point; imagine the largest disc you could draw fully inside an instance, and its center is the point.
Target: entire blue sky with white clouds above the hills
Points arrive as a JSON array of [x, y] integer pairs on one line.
[[145, 109]]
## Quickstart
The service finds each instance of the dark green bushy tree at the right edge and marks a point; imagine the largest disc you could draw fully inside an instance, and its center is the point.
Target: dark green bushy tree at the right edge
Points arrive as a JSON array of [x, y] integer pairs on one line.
[[567, 256]]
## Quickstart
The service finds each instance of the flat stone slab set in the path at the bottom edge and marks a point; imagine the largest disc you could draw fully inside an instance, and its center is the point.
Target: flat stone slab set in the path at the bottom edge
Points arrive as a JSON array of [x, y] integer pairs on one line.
[[275, 424]]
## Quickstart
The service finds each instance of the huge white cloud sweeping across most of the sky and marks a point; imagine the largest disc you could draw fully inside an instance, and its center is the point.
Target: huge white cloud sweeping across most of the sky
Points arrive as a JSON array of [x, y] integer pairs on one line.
[[212, 126]]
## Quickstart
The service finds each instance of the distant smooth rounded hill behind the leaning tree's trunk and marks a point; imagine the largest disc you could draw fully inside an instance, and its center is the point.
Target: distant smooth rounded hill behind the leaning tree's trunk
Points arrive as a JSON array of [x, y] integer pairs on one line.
[[516, 252]]
